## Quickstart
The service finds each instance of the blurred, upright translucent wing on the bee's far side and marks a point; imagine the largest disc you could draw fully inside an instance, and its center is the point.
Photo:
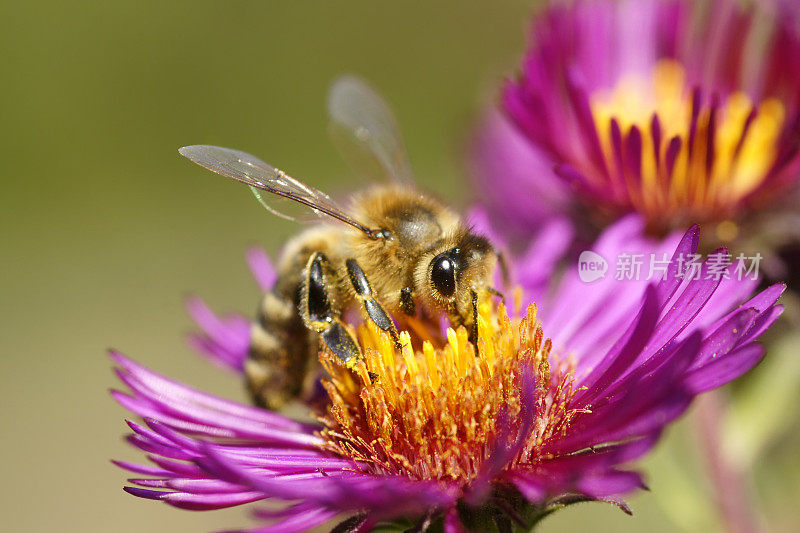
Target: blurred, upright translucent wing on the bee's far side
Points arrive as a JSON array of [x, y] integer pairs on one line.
[[366, 132]]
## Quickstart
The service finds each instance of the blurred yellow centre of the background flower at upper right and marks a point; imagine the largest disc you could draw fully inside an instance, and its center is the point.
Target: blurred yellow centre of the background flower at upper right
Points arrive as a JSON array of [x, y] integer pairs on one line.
[[706, 178]]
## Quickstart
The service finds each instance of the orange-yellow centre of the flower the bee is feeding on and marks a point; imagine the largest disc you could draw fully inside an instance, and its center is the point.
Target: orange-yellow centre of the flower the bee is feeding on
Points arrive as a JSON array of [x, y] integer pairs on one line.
[[434, 412]]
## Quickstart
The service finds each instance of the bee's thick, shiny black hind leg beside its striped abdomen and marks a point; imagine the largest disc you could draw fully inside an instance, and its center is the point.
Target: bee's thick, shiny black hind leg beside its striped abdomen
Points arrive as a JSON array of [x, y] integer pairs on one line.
[[317, 310]]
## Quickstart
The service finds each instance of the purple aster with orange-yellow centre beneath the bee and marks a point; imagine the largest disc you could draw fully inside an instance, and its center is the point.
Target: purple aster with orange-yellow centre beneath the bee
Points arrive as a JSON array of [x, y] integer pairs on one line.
[[548, 408]]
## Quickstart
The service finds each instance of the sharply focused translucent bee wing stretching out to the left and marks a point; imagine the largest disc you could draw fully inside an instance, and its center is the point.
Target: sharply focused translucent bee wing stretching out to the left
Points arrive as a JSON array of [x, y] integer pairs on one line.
[[262, 176]]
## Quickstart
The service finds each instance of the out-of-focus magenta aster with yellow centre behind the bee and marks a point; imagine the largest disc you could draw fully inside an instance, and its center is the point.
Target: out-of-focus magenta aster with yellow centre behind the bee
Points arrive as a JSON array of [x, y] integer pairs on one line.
[[684, 112]]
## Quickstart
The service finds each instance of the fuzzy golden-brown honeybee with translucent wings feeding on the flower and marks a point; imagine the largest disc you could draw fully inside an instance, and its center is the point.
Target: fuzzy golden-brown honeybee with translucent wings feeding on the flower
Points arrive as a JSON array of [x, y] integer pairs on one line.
[[394, 251]]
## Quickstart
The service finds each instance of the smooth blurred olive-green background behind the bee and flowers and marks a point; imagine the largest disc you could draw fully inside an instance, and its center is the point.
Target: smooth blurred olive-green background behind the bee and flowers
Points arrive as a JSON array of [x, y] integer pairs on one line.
[[105, 228]]
